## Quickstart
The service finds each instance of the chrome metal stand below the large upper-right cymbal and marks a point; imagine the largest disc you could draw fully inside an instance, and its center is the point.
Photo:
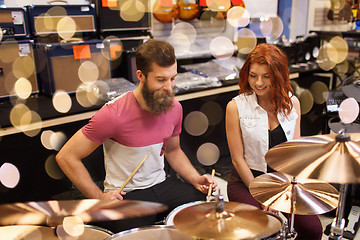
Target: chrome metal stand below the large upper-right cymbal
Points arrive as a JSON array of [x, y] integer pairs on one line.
[[338, 224]]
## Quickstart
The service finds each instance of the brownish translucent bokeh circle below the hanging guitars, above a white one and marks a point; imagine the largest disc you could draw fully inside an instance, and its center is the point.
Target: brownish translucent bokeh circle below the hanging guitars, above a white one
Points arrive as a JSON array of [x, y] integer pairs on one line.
[[211, 23]]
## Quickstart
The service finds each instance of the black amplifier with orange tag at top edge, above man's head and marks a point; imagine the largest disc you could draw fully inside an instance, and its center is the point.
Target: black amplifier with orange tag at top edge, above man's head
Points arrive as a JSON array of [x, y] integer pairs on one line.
[[123, 15]]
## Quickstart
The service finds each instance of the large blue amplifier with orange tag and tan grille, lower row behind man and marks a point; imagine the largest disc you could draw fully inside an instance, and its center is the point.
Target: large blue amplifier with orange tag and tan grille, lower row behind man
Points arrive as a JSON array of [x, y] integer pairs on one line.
[[66, 66]]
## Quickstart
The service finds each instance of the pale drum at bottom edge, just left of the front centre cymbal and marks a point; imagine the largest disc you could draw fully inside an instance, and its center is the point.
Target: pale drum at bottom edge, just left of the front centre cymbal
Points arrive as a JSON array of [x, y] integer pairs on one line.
[[156, 232]]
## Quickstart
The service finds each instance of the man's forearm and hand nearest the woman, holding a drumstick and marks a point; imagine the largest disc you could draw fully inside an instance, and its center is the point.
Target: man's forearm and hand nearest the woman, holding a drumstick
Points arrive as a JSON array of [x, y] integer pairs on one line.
[[182, 165]]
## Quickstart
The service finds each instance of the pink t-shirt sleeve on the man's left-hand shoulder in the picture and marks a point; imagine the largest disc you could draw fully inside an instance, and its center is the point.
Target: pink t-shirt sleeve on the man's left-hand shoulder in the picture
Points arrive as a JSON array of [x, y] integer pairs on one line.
[[101, 126]]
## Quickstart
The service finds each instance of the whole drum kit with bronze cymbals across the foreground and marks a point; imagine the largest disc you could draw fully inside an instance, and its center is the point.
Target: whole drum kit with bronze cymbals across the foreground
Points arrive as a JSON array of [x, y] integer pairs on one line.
[[305, 168]]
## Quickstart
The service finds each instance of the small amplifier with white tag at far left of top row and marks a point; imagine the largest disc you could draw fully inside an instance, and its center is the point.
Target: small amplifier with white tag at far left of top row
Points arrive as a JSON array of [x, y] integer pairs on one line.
[[14, 23]]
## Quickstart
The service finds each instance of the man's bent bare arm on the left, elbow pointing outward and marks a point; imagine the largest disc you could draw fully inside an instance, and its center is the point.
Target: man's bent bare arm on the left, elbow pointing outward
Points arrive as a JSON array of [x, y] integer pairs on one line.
[[70, 158]]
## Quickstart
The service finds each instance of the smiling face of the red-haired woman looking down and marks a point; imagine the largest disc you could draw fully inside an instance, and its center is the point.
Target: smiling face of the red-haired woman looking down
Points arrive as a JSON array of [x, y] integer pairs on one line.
[[259, 79]]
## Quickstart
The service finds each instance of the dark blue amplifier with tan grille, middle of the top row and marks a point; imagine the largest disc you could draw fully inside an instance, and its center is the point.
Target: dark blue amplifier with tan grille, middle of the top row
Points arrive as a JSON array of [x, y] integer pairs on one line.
[[51, 19]]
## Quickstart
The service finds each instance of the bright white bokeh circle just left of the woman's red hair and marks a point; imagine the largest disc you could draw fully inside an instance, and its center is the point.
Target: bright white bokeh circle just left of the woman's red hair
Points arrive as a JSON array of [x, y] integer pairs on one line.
[[221, 47]]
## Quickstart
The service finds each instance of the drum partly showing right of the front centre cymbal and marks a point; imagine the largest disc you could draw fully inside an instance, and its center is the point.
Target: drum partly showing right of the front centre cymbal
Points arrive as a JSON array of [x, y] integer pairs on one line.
[[275, 228]]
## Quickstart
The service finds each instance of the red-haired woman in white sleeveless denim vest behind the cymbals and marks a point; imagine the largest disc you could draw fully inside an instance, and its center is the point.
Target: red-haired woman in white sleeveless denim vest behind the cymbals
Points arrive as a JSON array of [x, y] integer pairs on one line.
[[264, 114]]
